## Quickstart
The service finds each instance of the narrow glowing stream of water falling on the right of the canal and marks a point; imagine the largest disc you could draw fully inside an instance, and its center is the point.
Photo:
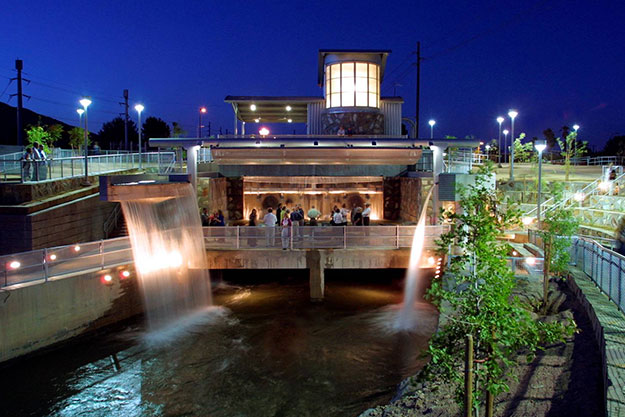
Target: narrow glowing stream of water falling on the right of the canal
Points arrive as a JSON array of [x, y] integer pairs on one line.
[[414, 288]]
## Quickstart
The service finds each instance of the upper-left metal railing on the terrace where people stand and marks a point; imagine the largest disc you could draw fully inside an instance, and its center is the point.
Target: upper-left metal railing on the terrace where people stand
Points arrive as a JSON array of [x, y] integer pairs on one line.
[[61, 168]]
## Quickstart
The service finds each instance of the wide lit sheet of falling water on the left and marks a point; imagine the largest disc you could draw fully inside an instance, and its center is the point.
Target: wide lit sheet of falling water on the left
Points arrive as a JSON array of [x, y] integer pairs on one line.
[[169, 254]]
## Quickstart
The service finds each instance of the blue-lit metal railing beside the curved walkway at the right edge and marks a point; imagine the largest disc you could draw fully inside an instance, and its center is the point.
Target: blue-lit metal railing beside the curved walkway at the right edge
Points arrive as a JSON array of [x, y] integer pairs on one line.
[[604, 267]]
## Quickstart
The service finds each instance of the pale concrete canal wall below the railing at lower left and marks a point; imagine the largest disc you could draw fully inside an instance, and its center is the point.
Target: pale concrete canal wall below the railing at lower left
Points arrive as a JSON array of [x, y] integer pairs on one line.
[[42, 314]]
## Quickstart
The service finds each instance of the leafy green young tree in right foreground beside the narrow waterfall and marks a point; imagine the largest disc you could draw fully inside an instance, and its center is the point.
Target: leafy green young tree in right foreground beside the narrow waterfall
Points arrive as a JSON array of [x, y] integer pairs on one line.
[[476, 295]]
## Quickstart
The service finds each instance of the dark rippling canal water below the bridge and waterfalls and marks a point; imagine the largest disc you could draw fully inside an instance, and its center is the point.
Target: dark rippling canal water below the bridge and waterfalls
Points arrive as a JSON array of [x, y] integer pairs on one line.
[[263, 350]]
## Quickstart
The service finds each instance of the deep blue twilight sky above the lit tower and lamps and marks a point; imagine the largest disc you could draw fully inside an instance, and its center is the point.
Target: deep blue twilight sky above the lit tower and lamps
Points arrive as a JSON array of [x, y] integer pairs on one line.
[[556, 61]]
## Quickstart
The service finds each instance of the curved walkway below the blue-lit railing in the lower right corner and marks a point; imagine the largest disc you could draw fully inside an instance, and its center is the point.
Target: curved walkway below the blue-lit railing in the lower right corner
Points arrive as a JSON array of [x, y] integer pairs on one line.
[[609, 326]]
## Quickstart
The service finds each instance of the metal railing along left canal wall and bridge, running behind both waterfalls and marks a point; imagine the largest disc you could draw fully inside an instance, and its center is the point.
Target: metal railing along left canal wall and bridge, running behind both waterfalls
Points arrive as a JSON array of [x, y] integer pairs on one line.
[[51, 263]]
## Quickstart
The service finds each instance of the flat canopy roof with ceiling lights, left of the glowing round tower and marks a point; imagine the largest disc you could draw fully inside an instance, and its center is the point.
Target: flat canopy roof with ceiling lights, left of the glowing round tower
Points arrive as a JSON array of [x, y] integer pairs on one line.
[[271, 109]]
